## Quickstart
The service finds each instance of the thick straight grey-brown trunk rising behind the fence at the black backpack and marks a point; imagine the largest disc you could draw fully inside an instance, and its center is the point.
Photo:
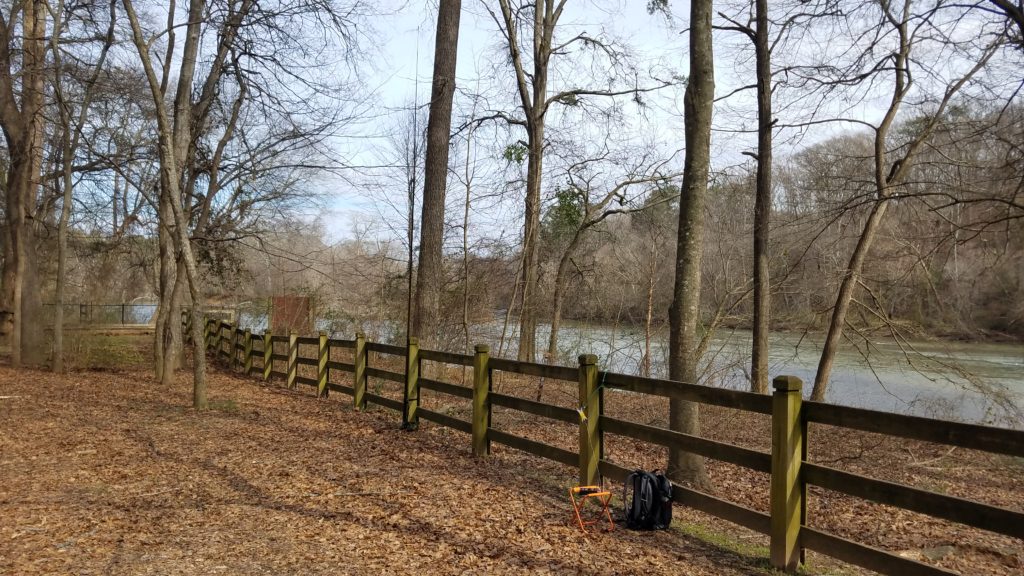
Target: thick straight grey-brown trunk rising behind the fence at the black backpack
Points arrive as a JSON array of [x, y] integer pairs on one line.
[[685, 315]]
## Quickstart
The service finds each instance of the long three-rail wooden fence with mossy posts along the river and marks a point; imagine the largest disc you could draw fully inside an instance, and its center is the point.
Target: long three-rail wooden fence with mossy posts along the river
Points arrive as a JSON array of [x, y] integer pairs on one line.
[[787, 524]]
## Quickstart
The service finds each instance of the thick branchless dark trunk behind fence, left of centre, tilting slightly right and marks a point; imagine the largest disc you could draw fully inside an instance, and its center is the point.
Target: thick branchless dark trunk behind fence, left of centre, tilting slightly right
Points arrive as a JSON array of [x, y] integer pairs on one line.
[[432, 278]]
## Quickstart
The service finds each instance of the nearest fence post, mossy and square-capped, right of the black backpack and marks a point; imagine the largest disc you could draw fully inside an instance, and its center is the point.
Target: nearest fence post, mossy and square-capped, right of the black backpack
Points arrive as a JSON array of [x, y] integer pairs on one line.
[[788, 490]]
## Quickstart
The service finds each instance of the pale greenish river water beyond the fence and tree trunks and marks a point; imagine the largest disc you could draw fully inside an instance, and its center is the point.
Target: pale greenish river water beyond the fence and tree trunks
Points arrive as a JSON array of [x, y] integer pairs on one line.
[[973, 383]]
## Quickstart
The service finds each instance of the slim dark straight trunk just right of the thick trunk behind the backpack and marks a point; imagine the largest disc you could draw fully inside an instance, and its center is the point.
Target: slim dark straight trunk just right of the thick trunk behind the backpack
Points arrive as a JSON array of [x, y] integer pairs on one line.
[[762, 205]]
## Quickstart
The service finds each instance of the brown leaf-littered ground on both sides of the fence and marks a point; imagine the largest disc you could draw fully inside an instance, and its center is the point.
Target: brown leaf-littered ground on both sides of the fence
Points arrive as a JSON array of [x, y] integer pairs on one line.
[[105, 472]]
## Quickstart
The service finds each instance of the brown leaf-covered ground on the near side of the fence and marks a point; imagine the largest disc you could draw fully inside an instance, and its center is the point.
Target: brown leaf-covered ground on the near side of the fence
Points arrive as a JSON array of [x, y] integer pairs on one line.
[[110, 474]]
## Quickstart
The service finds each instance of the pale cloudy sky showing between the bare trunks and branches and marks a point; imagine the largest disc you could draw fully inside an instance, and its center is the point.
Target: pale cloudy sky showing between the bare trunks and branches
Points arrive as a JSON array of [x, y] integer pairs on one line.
[[402, 65]]
